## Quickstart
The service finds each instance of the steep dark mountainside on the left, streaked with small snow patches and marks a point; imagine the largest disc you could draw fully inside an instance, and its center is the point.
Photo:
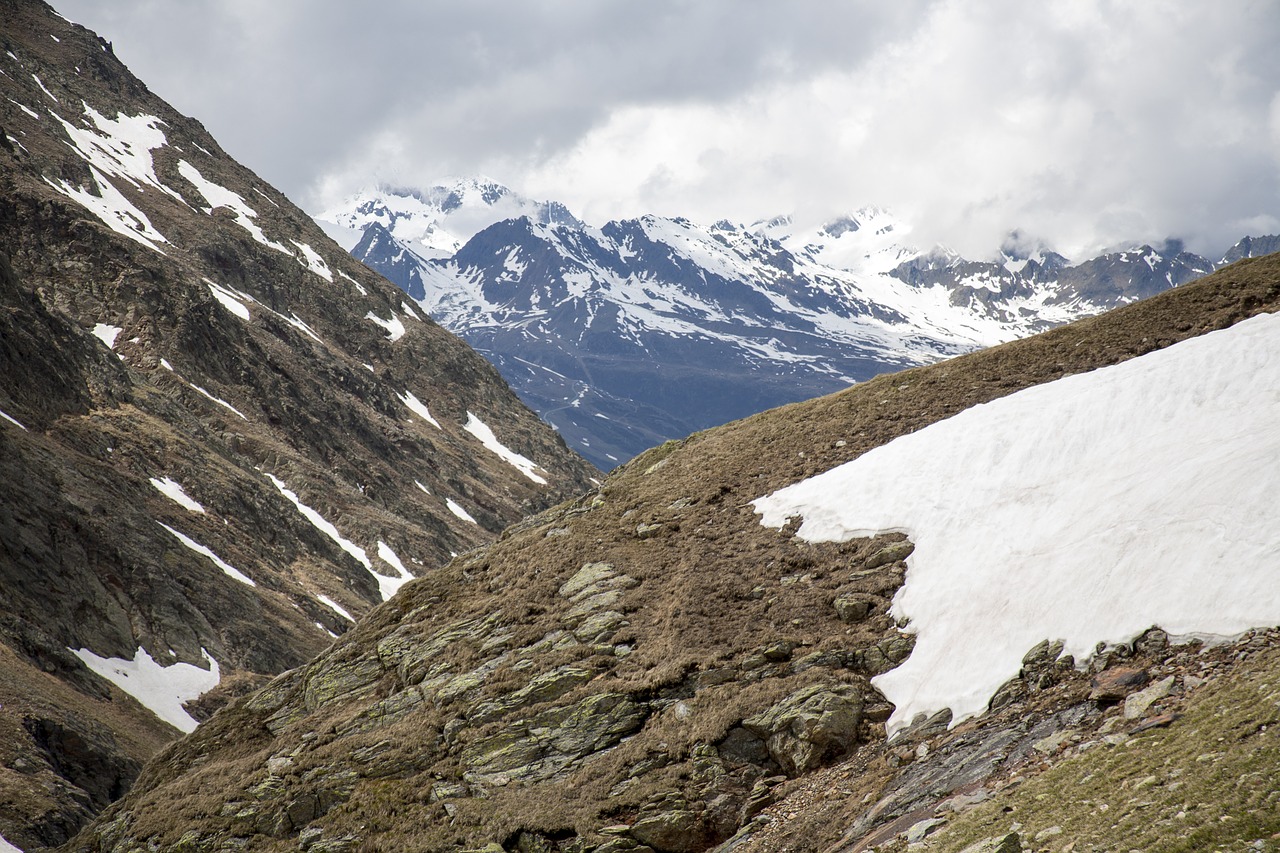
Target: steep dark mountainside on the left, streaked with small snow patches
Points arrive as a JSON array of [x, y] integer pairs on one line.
[[221, 439]]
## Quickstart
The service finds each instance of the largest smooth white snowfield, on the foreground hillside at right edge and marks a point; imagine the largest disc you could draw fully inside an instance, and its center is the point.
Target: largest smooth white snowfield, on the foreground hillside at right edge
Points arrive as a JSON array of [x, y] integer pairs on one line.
[[1085, 510]]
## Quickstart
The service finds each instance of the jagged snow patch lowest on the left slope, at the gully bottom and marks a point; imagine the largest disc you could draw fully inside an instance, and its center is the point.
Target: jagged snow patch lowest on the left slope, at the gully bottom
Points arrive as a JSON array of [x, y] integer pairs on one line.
[[161, 690]]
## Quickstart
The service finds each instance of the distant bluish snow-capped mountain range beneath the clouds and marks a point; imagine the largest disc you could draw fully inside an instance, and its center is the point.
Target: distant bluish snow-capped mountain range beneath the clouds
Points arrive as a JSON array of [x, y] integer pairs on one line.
[[647, 330]]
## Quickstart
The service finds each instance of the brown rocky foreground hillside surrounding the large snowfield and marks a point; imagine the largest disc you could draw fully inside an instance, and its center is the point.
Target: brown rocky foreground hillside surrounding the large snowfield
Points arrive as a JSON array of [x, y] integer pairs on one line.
[[648, 668]]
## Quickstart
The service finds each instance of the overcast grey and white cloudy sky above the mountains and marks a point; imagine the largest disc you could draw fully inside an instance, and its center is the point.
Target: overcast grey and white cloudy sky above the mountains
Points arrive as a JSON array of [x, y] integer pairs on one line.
[[1086, 124]]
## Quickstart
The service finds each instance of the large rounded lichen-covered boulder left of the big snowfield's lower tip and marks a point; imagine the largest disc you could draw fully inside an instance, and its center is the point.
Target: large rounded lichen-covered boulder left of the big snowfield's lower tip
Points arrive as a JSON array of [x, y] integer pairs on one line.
[[811, 727]]
